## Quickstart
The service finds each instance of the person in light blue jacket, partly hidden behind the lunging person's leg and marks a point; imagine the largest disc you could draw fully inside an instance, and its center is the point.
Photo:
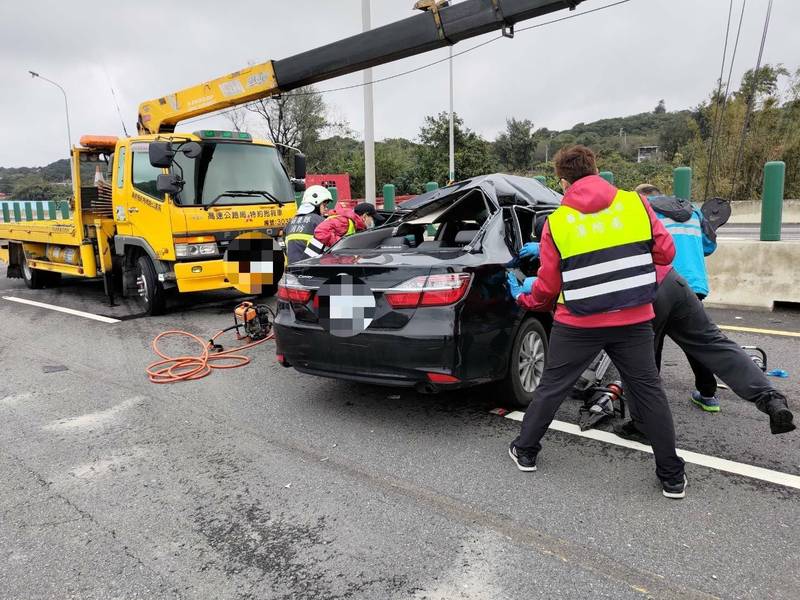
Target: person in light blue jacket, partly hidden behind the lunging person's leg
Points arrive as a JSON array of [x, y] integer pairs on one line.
[[694, 240]]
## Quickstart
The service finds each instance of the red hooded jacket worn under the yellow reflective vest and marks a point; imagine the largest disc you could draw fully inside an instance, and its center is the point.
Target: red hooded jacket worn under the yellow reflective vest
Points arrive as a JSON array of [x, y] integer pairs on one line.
[[588, 195]]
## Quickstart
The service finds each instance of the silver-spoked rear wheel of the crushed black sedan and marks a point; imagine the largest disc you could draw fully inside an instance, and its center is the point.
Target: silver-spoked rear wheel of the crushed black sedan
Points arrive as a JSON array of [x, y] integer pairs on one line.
[[526, 363]]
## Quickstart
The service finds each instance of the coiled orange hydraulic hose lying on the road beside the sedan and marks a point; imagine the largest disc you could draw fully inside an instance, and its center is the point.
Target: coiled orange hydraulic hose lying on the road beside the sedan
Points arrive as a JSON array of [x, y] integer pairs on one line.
[[171, 369]]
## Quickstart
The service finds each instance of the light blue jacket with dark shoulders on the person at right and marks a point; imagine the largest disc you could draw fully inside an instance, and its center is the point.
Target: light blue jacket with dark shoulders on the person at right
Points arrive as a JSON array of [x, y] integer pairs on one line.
[[693, 236]]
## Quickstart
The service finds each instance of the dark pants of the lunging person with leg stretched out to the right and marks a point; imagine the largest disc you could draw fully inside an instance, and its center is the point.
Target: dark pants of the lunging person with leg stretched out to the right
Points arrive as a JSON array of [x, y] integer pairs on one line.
[[681, 316]]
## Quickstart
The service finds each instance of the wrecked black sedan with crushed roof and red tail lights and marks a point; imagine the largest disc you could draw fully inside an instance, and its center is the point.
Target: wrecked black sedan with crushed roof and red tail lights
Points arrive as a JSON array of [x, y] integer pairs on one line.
[[422, 300]]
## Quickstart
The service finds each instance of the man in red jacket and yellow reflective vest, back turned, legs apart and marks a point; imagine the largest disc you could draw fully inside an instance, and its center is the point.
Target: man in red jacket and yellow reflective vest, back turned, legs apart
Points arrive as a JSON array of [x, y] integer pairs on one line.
[[598, 254]]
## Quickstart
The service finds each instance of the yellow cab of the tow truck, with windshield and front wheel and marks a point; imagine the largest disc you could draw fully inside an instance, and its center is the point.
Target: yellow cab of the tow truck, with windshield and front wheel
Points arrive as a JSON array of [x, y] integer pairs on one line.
[[205, 196]]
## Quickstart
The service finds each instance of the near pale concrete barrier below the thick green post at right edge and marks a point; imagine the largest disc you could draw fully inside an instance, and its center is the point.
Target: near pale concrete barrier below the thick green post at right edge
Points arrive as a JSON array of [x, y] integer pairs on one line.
[[750, 273]]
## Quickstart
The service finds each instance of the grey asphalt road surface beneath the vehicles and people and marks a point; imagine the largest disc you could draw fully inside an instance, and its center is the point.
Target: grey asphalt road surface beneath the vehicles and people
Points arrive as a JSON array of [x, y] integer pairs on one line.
[[265, 483]]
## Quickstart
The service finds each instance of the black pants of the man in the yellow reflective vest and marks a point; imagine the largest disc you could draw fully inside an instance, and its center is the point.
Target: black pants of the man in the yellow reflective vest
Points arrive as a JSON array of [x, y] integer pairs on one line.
[[631, 349]]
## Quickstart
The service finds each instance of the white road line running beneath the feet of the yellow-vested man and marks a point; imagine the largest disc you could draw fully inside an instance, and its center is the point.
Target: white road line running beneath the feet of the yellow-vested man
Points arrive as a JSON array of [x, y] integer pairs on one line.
[[695, 458]]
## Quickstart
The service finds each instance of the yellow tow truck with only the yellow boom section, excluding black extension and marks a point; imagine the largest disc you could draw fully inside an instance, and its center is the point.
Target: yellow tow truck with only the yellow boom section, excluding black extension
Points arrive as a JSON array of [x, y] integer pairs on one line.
[[161, 210]]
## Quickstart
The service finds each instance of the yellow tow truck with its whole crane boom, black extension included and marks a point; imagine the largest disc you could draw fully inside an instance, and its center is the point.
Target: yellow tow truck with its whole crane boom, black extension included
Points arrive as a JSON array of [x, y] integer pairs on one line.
[[172, 207]]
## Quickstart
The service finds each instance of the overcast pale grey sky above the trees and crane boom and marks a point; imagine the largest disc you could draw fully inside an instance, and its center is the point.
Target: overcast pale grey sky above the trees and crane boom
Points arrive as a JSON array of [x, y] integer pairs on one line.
[[611, 63]]
